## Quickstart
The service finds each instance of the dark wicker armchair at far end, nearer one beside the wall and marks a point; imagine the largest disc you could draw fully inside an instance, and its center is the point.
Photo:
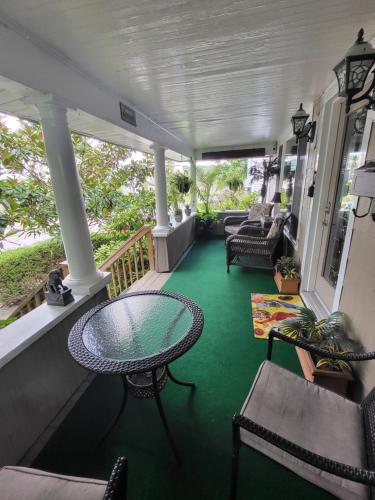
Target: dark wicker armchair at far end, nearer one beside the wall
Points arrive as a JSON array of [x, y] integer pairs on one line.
[[252, 246]]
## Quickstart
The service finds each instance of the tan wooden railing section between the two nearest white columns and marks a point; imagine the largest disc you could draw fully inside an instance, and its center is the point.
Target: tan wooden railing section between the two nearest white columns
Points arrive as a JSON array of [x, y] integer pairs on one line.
[[130, 262]]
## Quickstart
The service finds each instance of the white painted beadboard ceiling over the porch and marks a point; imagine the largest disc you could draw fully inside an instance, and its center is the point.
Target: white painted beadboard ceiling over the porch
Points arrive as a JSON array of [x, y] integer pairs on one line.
[[213, 72]]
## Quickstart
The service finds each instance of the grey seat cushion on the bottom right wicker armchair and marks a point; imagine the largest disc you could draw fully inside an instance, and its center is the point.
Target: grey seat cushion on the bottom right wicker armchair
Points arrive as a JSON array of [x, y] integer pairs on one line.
[[312, 417]]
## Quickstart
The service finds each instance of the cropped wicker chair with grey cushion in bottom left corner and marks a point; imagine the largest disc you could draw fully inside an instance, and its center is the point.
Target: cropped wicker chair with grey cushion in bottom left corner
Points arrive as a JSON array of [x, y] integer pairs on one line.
[[24, 483]]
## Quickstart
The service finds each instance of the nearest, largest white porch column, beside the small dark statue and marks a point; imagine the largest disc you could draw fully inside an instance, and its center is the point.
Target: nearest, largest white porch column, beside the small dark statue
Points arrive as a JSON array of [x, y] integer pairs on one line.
[[69, 200]]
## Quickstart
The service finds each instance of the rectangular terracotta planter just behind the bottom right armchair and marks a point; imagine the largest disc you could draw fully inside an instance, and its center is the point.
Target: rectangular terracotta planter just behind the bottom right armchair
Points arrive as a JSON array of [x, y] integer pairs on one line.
[[332, 380]]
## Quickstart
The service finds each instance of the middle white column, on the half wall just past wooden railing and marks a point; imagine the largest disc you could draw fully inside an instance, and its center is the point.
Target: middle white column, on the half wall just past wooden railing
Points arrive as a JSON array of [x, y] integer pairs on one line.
[[162, 226]]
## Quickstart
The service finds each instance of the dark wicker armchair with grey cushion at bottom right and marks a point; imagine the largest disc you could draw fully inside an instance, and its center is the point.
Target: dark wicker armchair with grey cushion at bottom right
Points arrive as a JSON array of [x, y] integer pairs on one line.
[[318, 434]]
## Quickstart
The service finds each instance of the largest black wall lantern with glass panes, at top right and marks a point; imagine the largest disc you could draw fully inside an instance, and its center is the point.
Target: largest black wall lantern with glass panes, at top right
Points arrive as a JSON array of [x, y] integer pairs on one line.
[[353, 70]]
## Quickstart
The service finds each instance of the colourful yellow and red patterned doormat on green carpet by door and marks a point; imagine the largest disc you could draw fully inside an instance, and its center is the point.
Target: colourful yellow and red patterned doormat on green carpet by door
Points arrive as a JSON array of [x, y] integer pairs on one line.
[[269, 309]]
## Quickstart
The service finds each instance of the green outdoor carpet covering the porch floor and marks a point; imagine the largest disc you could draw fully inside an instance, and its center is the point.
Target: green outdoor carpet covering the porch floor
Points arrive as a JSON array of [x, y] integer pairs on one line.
[[223, 364]]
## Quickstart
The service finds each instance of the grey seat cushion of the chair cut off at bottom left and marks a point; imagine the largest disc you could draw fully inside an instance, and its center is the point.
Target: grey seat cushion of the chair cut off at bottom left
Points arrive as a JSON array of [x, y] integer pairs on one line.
[[22, 483]]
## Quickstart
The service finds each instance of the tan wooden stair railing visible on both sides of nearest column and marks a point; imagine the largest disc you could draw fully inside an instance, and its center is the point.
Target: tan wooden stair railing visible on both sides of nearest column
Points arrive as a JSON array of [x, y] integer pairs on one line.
[[128, 264]]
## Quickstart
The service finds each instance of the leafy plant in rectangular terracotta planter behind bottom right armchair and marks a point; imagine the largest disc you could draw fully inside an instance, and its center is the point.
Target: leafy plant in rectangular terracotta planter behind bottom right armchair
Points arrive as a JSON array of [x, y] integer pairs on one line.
[[331, 335]]
